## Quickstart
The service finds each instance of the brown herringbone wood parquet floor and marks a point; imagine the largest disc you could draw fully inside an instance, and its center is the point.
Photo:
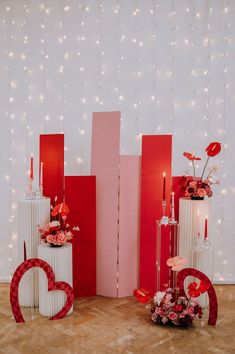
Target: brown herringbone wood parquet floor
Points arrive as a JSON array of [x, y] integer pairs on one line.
[[102, 325]]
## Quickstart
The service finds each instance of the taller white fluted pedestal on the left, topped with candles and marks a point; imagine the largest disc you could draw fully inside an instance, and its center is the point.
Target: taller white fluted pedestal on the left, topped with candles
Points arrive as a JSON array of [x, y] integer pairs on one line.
[[30, 214]]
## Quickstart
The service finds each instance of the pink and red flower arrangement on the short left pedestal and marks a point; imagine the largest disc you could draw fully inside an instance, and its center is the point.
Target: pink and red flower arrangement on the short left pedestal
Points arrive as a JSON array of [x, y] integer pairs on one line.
[[57, 232]]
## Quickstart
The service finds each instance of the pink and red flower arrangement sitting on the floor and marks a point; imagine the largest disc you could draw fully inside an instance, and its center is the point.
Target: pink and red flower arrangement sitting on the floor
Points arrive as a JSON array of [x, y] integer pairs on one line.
[[170, 307]]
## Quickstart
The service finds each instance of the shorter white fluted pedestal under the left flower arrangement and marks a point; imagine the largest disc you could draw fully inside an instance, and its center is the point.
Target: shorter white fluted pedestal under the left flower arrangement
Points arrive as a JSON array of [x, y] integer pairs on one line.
[[60, 260]]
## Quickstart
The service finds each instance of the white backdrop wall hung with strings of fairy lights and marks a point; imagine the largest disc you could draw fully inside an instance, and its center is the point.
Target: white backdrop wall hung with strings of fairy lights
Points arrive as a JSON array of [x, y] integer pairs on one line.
[[167, 65]]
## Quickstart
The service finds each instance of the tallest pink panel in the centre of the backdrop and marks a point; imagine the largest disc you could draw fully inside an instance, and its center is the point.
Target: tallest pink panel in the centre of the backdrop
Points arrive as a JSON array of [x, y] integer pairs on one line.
[[105, 166]]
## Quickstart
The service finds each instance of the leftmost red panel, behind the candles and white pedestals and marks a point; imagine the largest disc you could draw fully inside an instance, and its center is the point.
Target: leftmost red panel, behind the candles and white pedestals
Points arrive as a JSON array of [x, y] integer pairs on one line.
[[52, 156]]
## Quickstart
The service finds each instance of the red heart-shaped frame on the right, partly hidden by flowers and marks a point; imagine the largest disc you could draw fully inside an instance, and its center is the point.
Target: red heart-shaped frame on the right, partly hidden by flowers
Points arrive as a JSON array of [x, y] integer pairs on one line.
[[204, 286]]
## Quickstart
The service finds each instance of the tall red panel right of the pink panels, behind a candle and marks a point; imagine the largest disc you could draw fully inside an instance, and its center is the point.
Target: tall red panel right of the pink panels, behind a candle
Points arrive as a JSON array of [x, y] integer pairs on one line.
[[156, 159]]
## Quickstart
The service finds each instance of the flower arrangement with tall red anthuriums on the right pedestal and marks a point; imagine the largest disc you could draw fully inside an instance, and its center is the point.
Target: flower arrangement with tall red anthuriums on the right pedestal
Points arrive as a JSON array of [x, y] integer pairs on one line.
[[200, 187]]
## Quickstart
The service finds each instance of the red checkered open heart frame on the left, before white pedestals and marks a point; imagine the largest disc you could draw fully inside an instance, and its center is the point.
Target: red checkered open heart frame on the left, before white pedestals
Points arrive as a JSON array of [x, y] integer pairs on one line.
[[52, 285]]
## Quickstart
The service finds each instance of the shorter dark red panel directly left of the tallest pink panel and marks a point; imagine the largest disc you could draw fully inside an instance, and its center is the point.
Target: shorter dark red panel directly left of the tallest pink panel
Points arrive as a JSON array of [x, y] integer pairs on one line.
[[80, 195]]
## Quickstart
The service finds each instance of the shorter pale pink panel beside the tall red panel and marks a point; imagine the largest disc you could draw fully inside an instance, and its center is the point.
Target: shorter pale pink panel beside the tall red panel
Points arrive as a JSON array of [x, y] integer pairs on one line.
[[129, 225]]
